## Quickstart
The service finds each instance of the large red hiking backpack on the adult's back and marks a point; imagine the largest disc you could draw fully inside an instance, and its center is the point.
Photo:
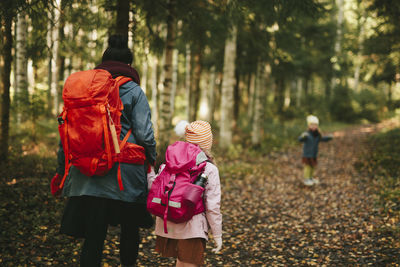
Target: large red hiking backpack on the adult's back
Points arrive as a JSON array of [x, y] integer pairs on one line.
[[90, 125]]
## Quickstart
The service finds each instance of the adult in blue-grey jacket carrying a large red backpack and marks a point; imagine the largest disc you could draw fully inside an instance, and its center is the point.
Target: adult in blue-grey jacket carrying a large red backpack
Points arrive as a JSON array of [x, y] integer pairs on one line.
[[117, 196]]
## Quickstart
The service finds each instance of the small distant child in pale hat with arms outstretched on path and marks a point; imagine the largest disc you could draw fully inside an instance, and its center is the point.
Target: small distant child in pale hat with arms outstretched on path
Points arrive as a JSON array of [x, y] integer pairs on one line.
[[311, 139]]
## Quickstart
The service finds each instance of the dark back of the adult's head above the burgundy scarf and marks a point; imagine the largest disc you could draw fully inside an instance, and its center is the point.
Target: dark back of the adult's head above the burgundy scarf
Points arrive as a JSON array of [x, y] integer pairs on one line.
[[118, 50]]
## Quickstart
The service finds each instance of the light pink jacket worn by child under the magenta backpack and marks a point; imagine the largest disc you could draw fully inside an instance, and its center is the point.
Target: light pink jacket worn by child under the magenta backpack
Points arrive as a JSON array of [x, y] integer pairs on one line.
[[198, 226]]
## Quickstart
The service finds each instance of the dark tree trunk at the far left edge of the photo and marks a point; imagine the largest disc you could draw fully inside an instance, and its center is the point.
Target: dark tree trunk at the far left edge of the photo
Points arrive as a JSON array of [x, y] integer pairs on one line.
[[5, 85]]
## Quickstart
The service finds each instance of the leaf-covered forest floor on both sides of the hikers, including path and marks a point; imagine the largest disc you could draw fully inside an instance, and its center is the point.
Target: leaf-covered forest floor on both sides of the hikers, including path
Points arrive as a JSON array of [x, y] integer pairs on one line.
[[270, 217]]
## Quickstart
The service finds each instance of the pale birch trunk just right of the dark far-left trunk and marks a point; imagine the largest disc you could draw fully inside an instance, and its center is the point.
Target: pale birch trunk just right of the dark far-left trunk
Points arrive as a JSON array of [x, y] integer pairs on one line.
[[21, 97]]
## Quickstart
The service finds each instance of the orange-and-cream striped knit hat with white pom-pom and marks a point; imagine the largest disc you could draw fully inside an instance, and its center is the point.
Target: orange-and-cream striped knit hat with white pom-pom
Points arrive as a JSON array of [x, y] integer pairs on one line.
[[197, 132]]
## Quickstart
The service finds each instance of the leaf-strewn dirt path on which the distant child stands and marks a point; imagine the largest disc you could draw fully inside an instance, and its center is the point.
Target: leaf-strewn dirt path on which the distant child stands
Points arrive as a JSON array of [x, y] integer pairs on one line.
[[270, 218]]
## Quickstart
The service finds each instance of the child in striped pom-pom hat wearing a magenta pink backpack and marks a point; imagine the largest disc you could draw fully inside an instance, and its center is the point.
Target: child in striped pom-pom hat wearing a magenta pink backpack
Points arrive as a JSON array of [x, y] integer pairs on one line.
[[177, 184]]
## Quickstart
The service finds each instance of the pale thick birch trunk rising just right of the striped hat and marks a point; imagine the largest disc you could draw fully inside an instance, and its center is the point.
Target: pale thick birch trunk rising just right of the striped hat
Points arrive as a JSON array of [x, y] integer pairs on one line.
[[228, 84]]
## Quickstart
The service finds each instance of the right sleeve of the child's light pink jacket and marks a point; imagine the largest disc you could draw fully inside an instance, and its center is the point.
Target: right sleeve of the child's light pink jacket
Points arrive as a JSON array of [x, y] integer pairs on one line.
[[213, 202]]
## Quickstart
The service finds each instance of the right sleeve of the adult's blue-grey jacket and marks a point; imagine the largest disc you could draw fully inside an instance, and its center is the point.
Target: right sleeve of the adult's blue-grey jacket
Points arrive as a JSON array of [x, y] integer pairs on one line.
[[142, 126]]
